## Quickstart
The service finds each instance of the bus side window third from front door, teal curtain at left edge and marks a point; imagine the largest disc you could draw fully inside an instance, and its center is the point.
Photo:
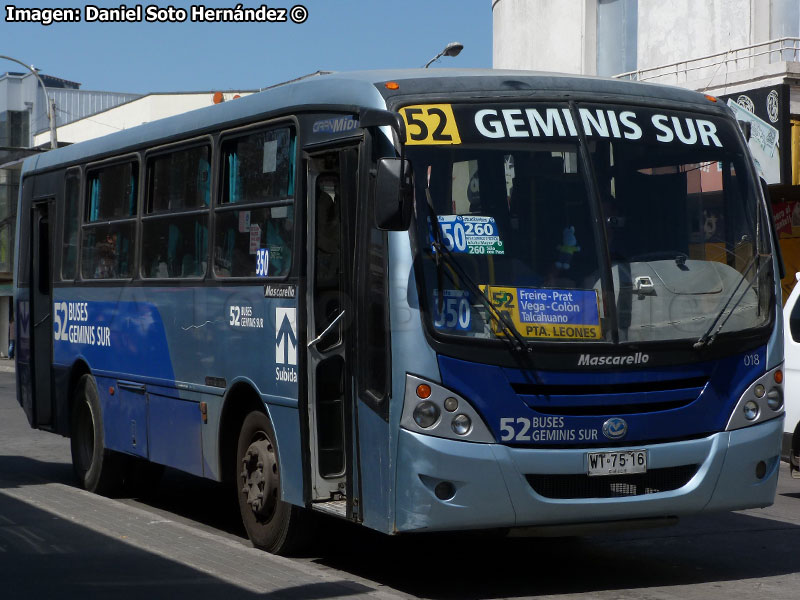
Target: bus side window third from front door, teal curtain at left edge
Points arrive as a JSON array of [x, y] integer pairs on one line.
[[109, 227]]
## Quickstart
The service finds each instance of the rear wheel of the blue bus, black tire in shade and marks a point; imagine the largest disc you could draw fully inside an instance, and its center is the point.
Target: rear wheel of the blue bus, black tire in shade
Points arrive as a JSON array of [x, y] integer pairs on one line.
[[97, 470]]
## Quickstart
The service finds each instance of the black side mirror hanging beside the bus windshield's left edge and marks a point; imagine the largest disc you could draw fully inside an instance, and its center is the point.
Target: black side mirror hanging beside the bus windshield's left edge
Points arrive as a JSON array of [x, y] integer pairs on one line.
[[393, 200]]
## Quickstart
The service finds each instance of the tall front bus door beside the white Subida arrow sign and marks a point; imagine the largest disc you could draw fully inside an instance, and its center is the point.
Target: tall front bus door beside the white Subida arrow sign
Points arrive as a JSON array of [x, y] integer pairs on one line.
[[331, 186]]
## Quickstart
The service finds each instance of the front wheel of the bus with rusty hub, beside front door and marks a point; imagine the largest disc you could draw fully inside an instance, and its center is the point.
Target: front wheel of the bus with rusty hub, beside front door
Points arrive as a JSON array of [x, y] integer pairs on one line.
[[271, 524]]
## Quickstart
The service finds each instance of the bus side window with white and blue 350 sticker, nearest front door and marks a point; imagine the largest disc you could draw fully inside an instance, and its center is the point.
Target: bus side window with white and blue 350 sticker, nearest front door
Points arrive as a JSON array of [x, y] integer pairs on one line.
[[254, 223]]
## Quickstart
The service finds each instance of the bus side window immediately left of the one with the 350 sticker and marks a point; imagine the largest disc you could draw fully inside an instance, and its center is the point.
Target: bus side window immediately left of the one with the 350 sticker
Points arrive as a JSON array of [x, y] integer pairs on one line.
[[175, 228]]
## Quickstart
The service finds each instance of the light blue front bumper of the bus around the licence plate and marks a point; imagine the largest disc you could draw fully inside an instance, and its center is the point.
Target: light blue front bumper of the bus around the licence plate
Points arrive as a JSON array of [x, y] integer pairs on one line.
[[491, 483]]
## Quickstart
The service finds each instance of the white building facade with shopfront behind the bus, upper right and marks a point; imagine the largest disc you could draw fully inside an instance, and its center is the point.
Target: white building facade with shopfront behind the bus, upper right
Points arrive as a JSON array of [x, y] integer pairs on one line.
[[745, 52]]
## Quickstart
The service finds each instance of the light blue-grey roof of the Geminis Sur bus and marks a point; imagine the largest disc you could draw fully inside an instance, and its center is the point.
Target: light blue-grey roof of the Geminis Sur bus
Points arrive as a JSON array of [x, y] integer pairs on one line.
[[355, 90]]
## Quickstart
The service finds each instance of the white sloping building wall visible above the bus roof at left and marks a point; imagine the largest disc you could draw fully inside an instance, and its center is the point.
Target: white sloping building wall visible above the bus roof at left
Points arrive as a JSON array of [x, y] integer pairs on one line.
[[143, 110]]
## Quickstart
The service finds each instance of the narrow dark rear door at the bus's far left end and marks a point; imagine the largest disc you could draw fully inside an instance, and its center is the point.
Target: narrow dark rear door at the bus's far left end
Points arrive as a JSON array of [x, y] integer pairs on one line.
[[41, 318]]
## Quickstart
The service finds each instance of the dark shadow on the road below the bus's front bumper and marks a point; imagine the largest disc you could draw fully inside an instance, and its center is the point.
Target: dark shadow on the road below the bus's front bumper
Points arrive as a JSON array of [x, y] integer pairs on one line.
[[713, 549]]
